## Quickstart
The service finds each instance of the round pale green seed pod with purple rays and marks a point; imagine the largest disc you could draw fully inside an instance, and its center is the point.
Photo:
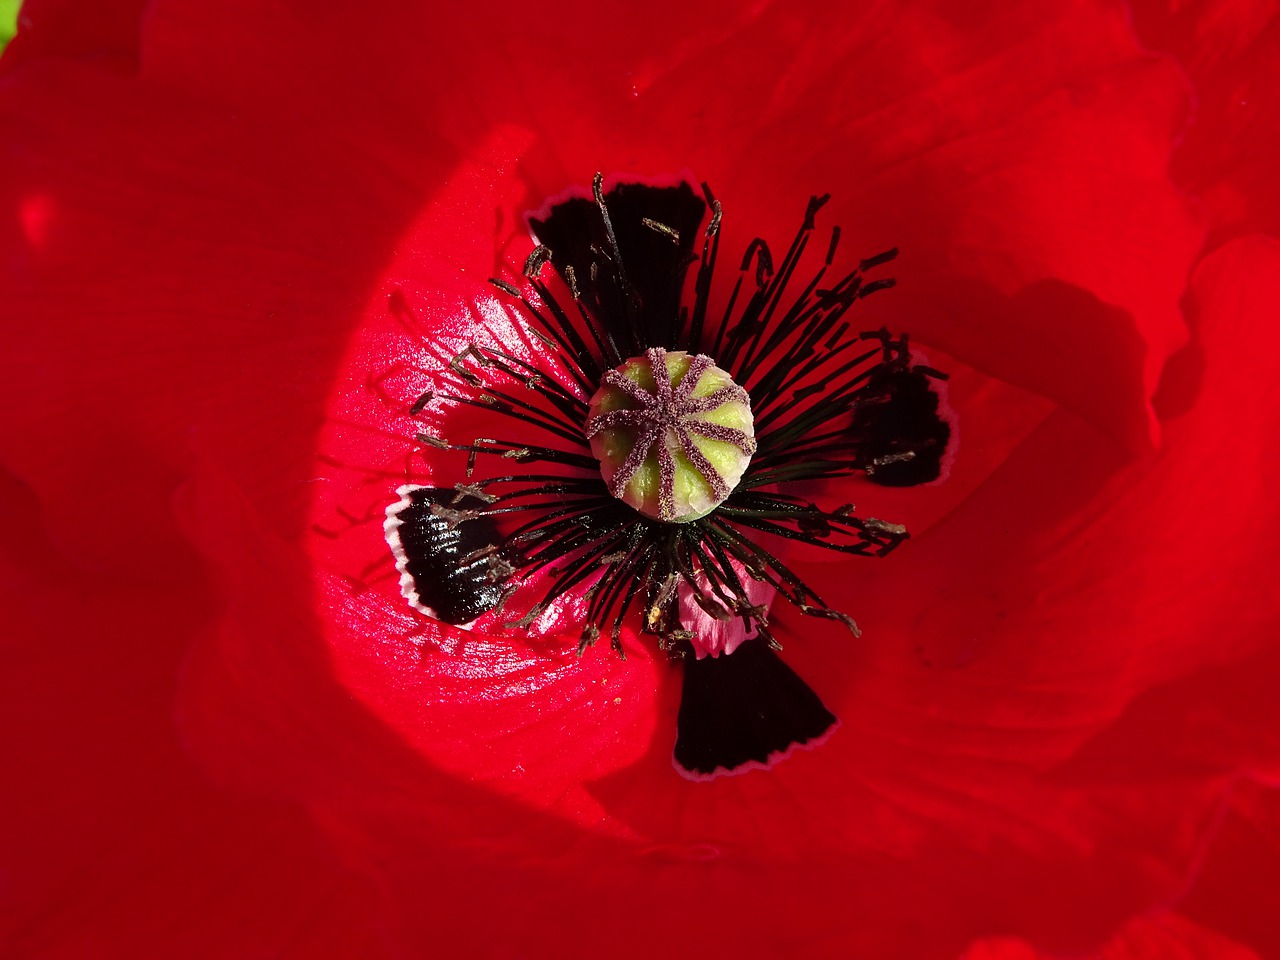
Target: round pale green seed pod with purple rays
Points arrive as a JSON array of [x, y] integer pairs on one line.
[[674, 435]]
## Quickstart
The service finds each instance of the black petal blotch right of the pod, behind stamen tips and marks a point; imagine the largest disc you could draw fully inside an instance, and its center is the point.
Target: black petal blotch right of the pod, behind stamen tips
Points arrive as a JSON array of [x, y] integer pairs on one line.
[[898, 431]]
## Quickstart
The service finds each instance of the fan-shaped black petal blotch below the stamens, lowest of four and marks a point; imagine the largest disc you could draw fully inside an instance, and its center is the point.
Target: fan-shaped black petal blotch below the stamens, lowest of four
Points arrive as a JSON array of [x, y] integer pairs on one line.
[[744, 707]]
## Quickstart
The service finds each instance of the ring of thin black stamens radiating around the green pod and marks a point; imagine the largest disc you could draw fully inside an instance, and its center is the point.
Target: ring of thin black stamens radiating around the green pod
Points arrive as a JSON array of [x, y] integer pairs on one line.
[[801, 360]]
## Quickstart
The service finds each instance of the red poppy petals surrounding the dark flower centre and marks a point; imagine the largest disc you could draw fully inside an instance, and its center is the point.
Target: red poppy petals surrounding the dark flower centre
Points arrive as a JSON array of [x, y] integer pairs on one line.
[[1055, 728]]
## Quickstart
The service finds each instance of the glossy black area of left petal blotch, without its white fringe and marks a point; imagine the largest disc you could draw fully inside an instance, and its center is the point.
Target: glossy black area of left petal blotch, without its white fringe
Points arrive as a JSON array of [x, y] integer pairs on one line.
[[458, 593]]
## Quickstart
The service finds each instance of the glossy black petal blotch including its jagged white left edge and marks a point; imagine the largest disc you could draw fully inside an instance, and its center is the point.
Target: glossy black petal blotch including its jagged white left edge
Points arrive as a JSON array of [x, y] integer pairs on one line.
[[450, 565]]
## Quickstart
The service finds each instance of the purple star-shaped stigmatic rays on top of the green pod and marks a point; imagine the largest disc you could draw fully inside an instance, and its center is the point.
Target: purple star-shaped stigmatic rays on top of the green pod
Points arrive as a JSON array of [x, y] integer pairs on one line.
[[666, 420]]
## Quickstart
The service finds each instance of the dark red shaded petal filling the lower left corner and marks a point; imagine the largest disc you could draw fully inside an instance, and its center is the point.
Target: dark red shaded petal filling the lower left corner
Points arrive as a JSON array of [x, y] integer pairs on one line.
[[115, 844]]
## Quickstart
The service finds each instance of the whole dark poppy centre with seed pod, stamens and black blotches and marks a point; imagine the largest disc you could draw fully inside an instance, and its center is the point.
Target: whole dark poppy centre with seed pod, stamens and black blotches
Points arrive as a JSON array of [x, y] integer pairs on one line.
[[669, 499]]
